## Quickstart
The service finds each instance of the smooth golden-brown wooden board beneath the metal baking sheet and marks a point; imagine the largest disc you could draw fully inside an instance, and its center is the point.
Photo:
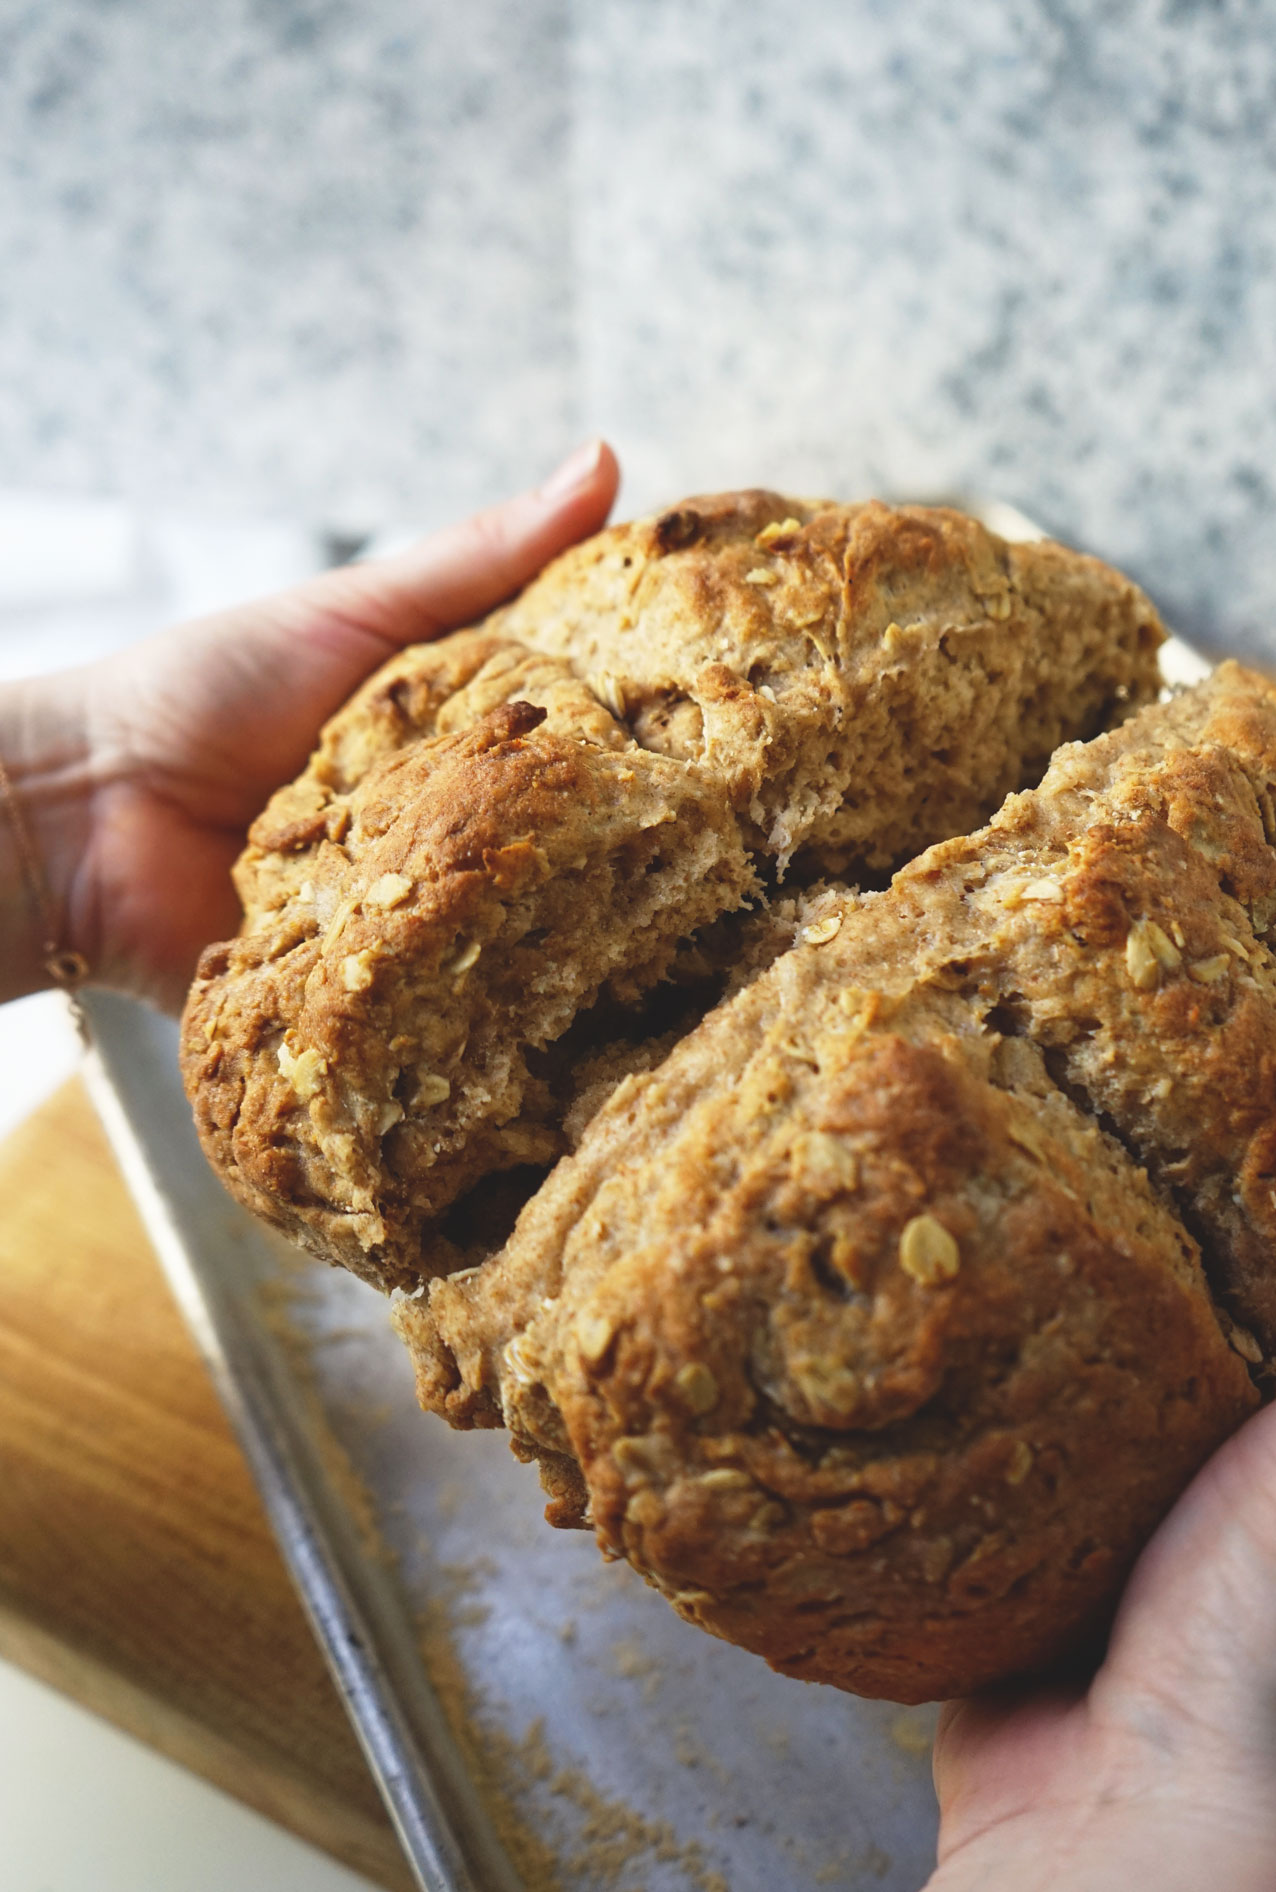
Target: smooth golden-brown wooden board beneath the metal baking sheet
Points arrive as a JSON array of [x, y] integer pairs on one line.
[[137, 1569]]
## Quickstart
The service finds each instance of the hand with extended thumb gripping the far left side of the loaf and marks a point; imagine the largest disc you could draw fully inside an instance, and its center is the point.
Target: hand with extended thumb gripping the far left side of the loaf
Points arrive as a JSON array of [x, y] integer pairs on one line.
[[139, 775]]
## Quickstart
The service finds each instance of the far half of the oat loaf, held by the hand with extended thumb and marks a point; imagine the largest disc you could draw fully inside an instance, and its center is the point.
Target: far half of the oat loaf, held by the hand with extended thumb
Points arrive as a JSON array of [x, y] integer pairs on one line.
[[525, 820]]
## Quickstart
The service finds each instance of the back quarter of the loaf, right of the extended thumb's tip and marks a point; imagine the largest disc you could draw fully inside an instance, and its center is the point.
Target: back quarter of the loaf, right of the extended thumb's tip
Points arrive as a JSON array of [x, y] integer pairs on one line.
[[864, 678]]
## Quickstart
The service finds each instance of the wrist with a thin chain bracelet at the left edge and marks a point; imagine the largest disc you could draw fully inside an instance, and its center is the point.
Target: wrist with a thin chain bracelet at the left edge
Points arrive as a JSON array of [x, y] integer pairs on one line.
[[44, 832]]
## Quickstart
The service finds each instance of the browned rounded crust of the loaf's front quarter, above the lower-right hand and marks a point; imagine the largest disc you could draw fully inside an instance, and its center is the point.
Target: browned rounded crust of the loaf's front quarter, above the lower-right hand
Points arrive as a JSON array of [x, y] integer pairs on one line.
[[872, 1479]]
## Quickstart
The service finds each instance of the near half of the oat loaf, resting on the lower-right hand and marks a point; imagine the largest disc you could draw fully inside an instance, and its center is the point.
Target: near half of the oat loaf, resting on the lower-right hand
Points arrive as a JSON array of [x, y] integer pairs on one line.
[[876, 1344]]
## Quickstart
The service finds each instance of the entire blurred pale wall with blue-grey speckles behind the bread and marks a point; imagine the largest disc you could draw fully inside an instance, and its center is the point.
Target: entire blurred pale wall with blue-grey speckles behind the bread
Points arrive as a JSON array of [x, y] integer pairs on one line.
[[368, 262]]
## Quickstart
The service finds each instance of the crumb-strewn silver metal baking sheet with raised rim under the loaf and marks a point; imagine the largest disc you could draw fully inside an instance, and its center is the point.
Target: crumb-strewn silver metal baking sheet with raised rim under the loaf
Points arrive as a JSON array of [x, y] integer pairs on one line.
[[535, 1717]]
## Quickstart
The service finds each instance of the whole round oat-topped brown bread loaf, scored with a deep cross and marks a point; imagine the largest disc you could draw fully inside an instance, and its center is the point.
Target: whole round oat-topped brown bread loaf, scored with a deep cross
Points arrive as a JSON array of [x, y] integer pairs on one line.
[[904, 1250]]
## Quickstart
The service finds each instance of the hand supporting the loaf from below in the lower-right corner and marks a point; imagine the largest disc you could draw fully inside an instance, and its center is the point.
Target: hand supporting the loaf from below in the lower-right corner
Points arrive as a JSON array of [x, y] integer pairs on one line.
[[1163, 1772]]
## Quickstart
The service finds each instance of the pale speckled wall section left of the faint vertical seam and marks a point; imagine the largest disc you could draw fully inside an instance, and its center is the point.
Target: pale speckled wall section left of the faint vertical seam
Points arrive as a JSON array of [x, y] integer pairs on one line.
[[302, 254]]
